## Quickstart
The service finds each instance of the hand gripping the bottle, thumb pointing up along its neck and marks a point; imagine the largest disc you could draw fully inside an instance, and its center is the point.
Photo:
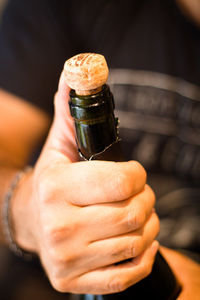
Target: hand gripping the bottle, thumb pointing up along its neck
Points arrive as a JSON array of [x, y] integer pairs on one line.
[[83, 217]]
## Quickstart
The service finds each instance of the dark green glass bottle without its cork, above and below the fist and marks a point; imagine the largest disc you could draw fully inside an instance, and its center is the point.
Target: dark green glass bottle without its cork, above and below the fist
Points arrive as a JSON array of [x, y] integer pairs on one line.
[[97, 138]]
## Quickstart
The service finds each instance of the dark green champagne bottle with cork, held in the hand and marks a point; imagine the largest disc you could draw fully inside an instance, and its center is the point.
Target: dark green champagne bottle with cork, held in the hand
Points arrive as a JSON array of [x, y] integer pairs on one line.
[[92, 107]]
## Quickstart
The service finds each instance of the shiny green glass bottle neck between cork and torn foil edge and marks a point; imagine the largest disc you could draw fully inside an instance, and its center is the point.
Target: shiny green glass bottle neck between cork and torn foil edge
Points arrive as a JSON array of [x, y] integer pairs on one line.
[[95, 123]]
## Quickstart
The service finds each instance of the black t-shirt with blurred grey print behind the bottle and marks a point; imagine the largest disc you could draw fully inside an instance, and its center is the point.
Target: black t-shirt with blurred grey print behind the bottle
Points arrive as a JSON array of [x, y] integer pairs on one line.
[[153, 53]]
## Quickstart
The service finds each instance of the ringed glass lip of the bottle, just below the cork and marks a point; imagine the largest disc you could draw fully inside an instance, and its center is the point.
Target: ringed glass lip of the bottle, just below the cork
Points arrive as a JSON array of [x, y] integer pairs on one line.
[[87, 100]]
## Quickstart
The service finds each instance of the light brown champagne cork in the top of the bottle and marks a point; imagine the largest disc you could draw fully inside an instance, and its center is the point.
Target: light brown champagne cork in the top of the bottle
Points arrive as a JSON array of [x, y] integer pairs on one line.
[[86, 73]]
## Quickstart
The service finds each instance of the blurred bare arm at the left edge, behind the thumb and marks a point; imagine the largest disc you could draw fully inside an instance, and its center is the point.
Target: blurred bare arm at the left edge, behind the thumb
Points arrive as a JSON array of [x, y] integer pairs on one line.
[[22, 127]]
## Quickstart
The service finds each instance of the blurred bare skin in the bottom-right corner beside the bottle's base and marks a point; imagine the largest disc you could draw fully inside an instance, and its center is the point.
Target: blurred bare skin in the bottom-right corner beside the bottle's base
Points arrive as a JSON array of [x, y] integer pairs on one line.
[[187, 273]]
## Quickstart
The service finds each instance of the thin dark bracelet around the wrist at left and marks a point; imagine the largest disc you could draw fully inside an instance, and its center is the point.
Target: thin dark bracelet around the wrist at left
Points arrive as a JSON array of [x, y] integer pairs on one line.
[[6, 219]]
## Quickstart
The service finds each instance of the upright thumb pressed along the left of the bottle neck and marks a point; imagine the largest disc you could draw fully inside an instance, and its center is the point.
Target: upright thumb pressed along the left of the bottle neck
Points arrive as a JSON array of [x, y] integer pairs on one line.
[[61, 137]]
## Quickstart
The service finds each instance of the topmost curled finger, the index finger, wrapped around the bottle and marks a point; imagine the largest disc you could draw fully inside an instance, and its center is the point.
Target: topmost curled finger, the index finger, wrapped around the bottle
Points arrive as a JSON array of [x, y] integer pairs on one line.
[[93, 182]]
